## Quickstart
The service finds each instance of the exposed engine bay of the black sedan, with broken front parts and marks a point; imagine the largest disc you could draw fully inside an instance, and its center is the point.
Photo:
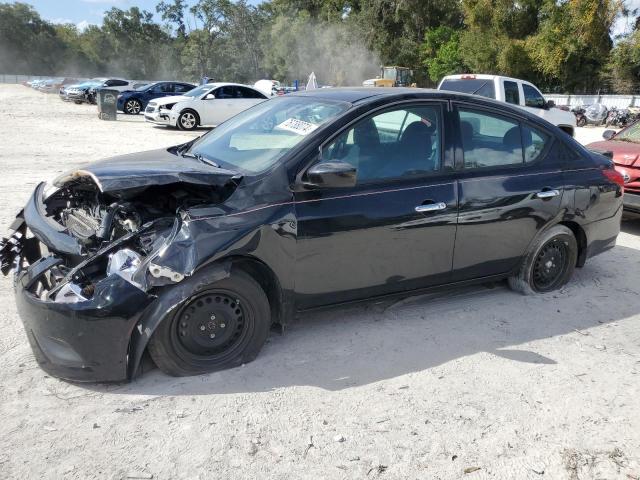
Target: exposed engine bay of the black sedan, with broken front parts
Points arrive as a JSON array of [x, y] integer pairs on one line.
[[106, 235]]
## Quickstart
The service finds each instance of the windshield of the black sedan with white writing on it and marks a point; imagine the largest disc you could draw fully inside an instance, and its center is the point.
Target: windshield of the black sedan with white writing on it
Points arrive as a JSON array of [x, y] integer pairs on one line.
[[257, 138]]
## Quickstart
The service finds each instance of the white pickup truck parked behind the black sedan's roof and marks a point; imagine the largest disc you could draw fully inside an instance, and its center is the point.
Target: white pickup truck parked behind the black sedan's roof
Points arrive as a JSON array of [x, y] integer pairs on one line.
[[511, 90]]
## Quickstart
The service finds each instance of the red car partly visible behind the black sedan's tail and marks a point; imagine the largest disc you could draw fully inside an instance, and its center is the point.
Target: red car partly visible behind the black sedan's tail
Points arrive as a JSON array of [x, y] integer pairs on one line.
[[624, 148]]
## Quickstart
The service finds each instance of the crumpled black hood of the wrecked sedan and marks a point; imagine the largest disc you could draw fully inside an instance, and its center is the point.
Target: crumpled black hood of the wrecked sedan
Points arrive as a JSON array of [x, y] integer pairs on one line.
[[145, 169]]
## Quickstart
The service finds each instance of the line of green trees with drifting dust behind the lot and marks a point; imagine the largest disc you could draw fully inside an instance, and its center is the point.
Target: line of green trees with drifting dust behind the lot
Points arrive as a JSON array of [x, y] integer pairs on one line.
[[564, 46]]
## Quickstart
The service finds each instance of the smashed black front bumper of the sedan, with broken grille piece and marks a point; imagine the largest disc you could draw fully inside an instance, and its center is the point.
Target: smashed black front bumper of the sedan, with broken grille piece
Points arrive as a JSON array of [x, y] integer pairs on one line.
[[83, 341]]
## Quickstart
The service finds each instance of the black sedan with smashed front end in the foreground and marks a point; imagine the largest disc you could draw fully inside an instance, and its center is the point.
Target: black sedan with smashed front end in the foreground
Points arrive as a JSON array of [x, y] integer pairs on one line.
[[313, 199]]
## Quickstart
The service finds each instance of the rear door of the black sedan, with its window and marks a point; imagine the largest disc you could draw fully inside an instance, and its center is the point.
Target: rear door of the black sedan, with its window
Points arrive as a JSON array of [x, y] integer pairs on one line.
[[510, 187]]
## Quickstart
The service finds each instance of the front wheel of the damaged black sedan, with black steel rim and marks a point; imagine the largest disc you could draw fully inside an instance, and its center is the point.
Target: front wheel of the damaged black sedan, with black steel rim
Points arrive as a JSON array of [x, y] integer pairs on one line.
[[218, 326]]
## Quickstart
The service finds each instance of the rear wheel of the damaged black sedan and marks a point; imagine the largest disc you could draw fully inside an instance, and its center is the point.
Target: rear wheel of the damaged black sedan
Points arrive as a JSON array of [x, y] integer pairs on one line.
[[549, 264]]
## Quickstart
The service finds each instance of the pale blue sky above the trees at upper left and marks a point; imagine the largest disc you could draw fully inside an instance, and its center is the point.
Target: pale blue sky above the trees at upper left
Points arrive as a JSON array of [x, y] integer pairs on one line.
[[84, 12]]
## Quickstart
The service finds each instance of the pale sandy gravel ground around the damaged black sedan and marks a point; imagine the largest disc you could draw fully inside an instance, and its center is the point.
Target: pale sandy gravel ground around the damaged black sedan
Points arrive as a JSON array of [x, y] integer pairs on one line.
[[476, 383]]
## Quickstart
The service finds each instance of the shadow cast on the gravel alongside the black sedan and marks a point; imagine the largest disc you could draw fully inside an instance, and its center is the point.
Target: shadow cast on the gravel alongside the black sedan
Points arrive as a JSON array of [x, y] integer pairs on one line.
[[350, 347]]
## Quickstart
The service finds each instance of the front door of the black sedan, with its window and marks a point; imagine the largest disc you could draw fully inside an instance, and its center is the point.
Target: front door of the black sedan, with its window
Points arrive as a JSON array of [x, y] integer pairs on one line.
[[395, 230]]
